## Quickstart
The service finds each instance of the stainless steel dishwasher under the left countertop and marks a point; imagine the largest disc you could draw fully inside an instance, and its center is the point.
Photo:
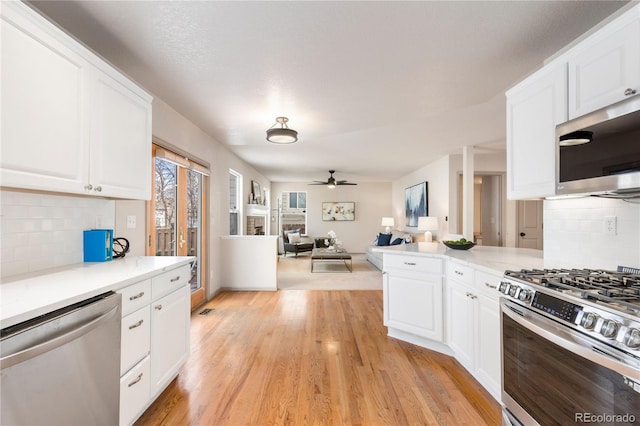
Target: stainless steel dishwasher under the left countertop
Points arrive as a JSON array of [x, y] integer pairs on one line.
[[63, 368]]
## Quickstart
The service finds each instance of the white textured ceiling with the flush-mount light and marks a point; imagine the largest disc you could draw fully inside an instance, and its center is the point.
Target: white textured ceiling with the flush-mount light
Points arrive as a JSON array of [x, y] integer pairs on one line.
[[376, 90]]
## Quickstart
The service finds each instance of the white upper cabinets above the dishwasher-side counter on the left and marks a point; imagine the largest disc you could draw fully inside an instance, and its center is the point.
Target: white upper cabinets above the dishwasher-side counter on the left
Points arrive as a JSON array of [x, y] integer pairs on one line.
[[70, 122]]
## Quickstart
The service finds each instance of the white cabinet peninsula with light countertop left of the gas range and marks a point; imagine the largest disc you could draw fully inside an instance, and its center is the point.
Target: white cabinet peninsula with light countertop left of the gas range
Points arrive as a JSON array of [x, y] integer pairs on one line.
[[448, 301]]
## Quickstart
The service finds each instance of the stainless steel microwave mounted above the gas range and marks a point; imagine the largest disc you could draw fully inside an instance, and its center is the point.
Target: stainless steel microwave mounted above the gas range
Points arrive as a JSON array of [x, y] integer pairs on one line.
[[599, 153]]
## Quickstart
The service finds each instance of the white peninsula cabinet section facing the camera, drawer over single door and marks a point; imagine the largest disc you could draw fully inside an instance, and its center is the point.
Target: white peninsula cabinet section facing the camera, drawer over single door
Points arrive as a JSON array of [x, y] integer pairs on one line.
[[413, 302]]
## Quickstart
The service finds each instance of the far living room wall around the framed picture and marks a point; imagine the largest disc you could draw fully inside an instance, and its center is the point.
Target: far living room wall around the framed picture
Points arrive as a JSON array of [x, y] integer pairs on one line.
[[372, 202]]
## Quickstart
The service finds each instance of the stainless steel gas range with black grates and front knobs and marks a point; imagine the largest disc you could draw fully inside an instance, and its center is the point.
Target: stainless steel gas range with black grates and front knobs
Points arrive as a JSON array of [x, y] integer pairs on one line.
[[570, 347]]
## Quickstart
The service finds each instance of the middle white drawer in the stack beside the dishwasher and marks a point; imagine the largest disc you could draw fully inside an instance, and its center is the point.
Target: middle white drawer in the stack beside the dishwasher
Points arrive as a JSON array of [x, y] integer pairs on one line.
[[135, 338]]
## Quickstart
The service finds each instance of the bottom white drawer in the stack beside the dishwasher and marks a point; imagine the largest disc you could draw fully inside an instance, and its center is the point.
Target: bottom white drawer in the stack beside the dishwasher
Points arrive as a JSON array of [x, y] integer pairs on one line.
[[134, 392]]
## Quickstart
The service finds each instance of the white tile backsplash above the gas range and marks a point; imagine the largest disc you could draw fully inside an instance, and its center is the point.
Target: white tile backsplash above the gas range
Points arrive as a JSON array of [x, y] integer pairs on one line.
[[574, 232]]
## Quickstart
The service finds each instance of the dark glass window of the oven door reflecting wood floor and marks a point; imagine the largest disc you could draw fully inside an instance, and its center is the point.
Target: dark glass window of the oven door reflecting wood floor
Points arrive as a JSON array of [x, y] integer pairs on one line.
[[556, 386]]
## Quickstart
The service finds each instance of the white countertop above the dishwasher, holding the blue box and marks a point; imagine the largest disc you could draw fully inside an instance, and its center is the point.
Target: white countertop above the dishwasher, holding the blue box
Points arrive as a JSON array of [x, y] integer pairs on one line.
[[23, 297]]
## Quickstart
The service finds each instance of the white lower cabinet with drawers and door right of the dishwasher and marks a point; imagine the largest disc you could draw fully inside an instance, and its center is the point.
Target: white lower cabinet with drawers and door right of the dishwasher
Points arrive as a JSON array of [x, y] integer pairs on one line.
[[154, 338]]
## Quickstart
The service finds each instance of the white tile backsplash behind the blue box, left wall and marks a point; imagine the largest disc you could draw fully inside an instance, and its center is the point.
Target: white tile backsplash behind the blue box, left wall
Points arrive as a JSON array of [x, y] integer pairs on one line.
[[40, 231]]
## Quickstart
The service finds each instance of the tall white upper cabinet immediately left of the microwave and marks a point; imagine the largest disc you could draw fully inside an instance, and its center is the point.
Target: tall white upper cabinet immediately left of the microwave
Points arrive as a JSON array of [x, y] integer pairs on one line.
[[534, 108]]
